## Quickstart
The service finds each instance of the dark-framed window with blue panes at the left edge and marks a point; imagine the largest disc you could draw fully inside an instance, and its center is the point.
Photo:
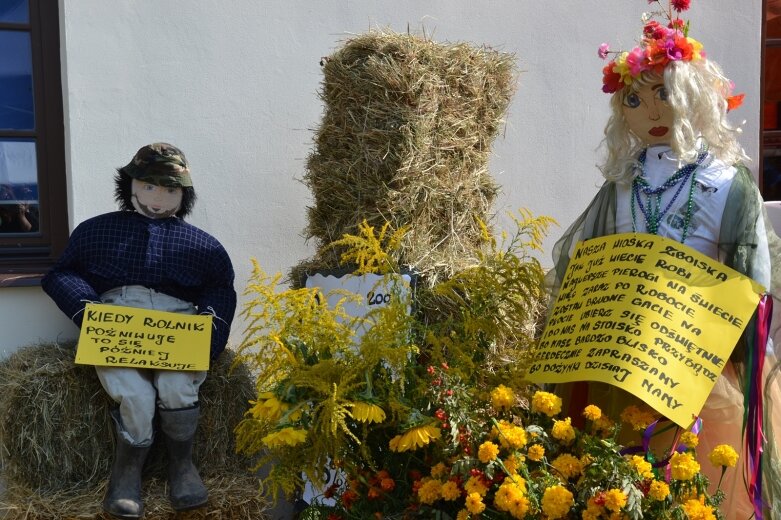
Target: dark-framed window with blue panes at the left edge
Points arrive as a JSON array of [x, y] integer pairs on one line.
[[33, 205]]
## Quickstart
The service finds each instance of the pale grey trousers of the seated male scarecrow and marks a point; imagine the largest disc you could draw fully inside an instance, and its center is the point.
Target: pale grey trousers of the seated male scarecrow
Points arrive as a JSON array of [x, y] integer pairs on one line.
[[139, 392]]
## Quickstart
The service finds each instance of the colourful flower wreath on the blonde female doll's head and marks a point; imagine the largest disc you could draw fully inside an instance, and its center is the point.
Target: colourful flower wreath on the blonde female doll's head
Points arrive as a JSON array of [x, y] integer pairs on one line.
[[660, 45]]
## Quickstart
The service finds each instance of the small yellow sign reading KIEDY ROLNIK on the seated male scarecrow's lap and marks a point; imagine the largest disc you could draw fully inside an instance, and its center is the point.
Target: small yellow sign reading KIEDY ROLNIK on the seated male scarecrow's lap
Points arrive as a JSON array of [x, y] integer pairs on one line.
[[116, 336]]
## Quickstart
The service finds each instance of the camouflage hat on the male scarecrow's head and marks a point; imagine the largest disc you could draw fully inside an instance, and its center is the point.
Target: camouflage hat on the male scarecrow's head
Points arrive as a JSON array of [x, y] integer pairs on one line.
[[161, 164]]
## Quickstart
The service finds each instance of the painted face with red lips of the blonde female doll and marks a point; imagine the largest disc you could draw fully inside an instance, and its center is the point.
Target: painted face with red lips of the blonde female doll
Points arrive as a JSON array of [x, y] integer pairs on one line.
[[648, 115]]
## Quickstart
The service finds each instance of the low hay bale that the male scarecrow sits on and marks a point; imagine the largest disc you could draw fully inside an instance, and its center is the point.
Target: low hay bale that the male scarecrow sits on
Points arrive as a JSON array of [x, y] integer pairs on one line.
[[56, 438]]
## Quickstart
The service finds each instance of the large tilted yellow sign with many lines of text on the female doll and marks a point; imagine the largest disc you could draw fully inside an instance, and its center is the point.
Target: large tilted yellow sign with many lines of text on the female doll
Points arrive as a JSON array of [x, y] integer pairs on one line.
[[648, 315]]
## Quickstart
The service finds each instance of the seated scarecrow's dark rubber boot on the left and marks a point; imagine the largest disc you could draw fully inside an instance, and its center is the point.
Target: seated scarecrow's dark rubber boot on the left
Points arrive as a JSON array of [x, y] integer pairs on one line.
[[123, 495]]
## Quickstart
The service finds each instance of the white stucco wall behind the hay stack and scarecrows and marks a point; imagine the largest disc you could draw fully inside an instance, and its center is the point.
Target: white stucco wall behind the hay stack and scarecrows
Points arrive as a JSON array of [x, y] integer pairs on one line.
[[234, 85]]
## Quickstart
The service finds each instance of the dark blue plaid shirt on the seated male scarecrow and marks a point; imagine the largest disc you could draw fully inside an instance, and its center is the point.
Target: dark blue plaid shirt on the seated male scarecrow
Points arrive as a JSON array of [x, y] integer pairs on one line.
[[167, 255]]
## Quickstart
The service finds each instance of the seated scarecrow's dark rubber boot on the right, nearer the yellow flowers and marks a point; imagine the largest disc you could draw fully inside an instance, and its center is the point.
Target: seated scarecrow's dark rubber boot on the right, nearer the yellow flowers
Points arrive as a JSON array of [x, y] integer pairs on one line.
[[186, 487]]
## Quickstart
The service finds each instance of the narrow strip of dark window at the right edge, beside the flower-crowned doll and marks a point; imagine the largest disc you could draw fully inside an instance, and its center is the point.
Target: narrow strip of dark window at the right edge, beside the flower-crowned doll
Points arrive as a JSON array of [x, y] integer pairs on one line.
[[771, 102]]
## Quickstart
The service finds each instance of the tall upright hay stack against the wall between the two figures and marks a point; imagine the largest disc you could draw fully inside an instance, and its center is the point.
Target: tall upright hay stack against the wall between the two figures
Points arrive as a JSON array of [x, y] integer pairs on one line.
[[405, 138]]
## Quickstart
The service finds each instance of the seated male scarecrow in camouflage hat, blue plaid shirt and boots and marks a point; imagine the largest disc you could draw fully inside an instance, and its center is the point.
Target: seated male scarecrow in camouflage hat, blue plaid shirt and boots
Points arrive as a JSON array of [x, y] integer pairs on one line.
[[147, 256]]
